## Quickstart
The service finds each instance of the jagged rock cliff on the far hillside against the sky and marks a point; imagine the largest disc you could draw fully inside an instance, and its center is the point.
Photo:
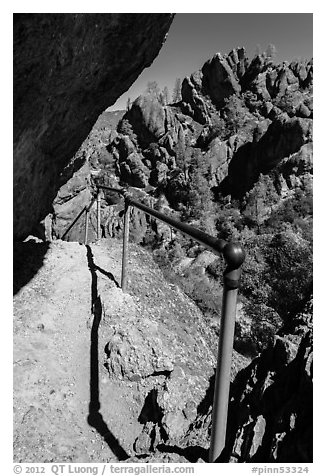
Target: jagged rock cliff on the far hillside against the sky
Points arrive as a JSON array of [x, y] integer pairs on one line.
[[237, 120]]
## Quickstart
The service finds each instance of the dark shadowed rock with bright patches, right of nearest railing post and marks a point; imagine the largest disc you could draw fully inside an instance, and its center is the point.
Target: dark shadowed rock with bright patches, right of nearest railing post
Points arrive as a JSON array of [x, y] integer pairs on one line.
[[271, 409]]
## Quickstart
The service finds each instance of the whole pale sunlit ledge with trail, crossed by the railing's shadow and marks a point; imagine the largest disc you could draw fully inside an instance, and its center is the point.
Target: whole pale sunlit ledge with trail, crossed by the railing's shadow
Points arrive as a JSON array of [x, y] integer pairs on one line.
[[100, 375]]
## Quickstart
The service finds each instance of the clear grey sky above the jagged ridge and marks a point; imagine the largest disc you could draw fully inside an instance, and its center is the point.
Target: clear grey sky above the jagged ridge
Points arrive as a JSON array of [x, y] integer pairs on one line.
[[195, 37]]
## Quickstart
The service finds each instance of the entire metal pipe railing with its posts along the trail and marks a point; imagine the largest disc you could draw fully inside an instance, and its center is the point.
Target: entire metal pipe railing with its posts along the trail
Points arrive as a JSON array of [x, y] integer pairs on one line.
[[233, 254]]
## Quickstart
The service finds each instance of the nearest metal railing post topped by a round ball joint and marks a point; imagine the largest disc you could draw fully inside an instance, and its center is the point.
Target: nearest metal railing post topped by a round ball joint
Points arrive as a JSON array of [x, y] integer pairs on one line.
[[234, 256]]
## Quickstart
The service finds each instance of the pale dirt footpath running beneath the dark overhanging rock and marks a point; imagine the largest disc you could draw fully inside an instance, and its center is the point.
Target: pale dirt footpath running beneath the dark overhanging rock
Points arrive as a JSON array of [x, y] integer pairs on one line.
[[55, 349]]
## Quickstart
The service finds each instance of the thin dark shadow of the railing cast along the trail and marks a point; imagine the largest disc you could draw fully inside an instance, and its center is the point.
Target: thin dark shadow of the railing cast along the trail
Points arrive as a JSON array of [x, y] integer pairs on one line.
[[95, 418]]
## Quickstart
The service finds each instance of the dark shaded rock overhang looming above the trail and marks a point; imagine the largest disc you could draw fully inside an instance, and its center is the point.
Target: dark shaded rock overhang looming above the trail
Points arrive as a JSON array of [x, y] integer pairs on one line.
[[67, 69]]
